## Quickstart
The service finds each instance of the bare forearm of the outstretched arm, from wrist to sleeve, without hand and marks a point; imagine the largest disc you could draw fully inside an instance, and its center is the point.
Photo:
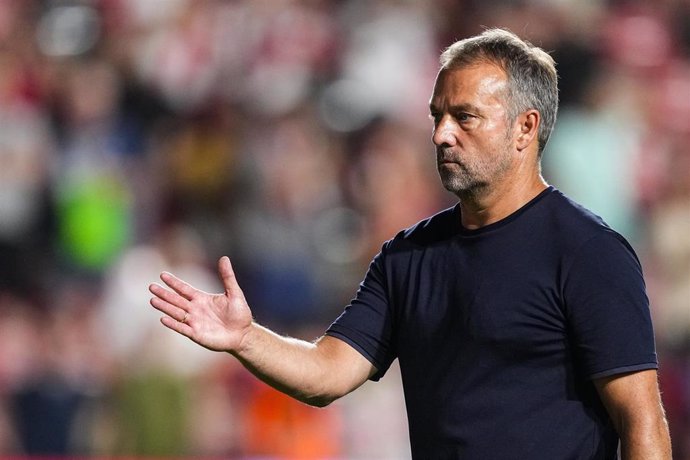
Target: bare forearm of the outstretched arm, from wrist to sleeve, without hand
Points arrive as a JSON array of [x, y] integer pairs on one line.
[[309, 372]]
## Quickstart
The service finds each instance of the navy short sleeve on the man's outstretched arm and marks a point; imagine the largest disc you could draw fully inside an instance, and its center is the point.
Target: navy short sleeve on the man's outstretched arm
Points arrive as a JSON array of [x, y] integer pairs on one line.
[[366, 323]]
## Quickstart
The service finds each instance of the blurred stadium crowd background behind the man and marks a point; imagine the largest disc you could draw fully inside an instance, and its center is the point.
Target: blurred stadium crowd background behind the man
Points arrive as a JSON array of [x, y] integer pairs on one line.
[[145, 135]]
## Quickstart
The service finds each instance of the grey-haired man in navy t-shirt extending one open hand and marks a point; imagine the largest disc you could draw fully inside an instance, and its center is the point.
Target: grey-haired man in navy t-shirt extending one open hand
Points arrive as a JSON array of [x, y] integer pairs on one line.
[[519, 319]]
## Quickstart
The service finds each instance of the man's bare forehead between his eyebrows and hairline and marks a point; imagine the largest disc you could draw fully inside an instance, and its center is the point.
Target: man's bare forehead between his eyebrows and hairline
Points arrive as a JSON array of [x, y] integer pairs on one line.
[[478, 84]]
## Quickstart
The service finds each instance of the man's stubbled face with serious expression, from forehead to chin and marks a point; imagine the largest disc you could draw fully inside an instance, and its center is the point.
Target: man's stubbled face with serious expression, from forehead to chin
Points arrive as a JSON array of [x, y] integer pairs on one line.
[[472, 133]]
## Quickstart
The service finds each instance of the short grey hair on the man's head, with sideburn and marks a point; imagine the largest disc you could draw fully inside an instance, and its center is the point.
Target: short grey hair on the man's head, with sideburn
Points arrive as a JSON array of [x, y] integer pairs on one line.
[[531, 72]]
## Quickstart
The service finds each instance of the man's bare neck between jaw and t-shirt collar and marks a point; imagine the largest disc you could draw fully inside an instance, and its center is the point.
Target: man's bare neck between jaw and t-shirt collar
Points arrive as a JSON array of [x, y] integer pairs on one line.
[[481, 208]]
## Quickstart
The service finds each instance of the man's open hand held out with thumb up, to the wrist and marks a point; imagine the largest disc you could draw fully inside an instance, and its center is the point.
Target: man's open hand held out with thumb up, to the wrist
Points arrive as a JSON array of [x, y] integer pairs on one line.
[[218, 322]]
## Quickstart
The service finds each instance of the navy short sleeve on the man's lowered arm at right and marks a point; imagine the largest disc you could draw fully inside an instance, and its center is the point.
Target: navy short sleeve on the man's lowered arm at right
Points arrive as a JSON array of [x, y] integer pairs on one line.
[[608, 309]]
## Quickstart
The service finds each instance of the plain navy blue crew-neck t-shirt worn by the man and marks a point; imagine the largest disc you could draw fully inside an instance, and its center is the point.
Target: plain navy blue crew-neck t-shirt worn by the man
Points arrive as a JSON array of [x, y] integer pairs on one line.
[[499, 331]]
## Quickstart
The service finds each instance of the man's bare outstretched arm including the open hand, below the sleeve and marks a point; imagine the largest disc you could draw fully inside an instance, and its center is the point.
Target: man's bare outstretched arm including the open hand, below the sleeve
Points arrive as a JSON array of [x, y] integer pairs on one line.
[[316, 373]]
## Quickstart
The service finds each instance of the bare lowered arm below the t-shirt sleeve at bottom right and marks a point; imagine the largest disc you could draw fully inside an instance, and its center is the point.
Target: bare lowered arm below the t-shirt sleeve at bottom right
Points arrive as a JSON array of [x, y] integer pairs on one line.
[[634, 404]]
